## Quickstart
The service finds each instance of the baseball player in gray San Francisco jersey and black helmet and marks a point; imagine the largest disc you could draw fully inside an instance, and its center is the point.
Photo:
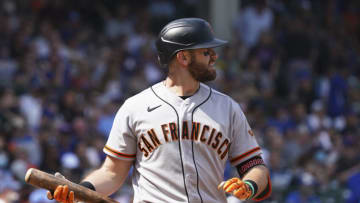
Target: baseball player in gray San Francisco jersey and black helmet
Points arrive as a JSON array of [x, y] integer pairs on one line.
[[179, 134]]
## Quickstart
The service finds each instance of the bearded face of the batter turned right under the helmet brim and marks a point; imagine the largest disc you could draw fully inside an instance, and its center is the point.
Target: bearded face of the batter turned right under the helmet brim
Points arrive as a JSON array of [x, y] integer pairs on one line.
[[202, 64]]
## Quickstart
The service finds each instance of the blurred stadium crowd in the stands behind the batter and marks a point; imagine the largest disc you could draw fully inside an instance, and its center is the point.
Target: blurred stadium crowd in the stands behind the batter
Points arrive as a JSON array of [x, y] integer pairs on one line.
[[66, 66]]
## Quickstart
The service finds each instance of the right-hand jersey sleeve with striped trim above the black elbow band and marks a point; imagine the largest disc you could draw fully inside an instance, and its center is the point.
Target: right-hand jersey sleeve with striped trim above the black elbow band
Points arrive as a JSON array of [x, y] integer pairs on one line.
[[244, 145]]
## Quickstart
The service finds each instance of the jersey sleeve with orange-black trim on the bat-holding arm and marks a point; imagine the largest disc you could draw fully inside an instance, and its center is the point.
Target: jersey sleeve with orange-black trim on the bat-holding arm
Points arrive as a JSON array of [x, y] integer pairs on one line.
[[121, 143]]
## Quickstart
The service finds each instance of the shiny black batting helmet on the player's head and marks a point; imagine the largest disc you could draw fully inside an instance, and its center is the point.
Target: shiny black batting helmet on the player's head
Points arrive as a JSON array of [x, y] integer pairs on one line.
[[182, 34]]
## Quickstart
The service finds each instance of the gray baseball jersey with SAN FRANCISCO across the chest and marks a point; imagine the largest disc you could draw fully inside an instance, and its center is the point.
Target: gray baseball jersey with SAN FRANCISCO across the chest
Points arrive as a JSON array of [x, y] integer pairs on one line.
[[180, 147]]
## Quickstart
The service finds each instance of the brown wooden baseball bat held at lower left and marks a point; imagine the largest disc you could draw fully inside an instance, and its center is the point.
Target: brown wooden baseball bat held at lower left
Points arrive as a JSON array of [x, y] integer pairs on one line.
[[48, 181]]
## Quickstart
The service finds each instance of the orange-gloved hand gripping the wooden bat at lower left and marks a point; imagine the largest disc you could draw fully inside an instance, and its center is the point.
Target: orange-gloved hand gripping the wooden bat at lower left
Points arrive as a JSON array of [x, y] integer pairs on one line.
[[61, 193]]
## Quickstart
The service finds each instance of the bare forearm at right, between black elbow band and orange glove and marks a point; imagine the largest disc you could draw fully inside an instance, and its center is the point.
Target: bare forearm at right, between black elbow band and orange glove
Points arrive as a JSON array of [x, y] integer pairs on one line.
[[259, 174]]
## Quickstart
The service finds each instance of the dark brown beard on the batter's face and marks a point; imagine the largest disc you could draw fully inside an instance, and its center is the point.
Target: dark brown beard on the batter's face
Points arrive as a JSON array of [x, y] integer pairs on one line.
[[201, 72]]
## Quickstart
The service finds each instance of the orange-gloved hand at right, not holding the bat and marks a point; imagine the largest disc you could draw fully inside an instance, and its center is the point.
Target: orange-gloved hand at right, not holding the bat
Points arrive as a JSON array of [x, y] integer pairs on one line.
[[236, 187]]
